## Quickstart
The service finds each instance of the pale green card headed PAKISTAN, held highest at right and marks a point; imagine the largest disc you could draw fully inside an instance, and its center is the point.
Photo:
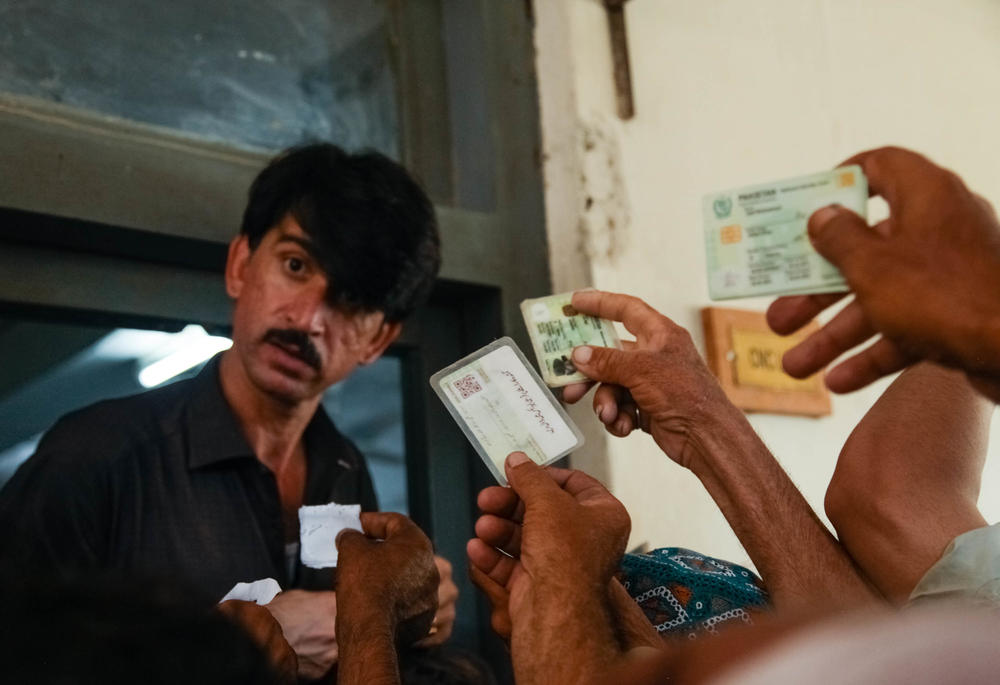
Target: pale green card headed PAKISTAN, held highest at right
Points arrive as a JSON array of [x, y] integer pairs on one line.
[[756, 240]]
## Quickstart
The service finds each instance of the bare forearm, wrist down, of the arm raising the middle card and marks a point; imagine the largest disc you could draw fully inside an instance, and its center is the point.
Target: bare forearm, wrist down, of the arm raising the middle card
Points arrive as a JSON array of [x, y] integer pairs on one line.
[[801, 563]]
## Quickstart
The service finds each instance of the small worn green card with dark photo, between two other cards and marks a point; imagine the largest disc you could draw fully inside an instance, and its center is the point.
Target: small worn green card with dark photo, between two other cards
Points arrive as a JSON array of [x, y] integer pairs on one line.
[[556, 328]]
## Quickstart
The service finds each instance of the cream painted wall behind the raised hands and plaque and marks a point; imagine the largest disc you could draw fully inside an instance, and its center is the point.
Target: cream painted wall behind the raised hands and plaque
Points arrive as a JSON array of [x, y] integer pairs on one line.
[[728, 93]]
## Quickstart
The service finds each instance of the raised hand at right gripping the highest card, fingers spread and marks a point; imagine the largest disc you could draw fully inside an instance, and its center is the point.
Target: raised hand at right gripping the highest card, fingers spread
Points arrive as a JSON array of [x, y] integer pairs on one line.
[[926, 280]]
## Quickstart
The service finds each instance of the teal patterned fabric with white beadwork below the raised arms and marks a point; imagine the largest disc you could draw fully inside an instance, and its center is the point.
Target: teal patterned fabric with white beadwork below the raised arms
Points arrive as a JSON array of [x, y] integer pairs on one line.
[[686, 593]]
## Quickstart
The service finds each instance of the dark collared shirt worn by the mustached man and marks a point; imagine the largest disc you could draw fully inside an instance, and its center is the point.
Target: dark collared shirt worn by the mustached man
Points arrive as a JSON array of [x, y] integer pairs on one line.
[[164, 484]]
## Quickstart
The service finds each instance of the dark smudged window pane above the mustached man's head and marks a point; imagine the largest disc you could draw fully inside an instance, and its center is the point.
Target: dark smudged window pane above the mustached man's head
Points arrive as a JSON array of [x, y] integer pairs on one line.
[[249, 73]]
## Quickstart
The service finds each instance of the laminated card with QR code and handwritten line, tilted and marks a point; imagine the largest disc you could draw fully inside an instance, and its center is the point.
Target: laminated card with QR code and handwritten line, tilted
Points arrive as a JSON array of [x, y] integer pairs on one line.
[[502, 406]]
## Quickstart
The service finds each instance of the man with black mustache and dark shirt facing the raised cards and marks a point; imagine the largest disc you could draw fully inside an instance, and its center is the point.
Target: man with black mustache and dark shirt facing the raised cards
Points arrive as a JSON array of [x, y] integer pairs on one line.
[[201, 480]]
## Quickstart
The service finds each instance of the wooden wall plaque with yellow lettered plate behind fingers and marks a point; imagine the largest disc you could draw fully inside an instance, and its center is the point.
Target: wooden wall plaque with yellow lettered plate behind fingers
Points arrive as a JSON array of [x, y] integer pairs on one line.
[[745, 355]]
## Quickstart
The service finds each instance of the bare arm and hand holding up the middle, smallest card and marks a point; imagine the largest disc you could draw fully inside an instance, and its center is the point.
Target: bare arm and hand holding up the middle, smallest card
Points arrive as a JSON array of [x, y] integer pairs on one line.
[[661, 384]]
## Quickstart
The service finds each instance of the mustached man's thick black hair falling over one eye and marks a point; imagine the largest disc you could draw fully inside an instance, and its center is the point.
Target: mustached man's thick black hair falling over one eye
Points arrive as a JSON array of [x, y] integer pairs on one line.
[[372, 226]]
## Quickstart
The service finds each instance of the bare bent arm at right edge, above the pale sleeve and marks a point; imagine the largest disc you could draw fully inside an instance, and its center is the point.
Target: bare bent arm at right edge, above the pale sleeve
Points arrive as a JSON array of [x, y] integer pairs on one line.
[[908, 478]]
